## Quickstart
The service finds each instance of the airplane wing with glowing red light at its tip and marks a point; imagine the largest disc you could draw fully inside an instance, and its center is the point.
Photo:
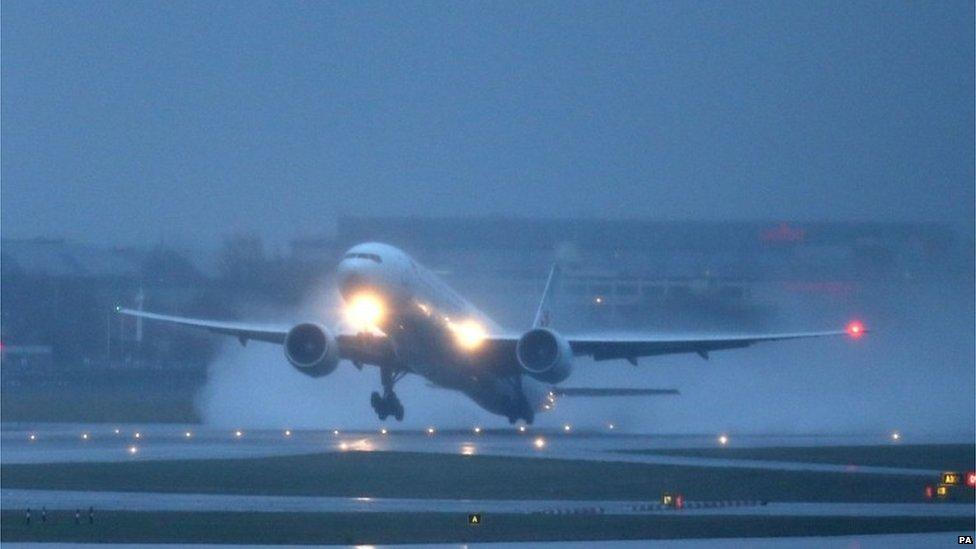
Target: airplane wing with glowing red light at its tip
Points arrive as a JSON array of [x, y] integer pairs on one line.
[[633, 348]]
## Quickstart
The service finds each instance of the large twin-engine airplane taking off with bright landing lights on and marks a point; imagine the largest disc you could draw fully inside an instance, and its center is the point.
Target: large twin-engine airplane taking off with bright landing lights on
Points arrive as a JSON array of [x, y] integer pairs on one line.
[[404, 319]]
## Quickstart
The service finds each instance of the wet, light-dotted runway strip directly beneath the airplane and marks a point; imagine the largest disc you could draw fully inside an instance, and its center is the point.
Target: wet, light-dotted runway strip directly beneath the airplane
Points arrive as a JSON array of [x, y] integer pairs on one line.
[[53, 443]]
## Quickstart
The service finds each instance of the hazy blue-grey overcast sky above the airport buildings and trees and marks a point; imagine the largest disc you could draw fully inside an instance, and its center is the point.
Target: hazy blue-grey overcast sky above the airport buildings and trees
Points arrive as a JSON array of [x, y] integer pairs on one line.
[[133, 122]]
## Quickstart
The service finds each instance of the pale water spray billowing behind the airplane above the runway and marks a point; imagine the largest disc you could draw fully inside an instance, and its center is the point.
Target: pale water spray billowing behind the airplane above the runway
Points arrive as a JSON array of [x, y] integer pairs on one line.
[[913, 373]]
